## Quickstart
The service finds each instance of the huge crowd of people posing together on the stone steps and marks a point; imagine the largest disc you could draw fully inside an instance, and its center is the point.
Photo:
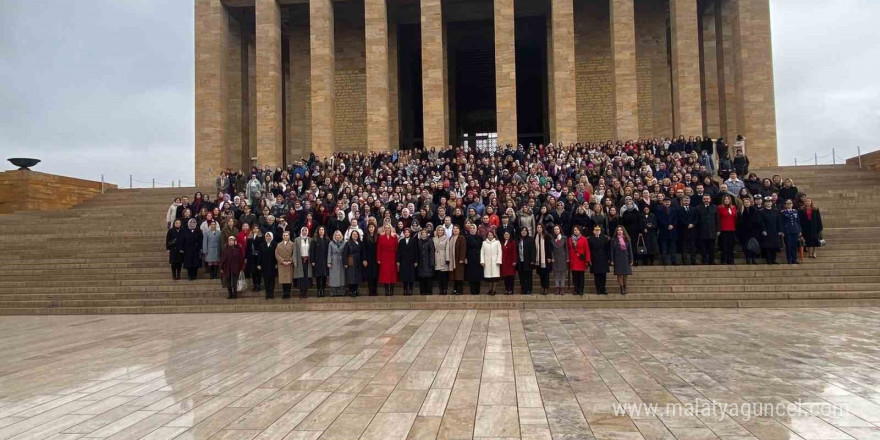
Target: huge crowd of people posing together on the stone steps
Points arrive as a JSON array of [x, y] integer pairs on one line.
[[442, 217]]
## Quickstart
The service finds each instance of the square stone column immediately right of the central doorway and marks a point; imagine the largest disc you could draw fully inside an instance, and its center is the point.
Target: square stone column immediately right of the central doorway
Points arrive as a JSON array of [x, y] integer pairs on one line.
[[505, 73]]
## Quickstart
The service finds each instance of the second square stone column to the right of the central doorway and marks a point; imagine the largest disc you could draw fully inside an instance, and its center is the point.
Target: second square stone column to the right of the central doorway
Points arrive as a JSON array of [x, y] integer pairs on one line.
[[563, 93]]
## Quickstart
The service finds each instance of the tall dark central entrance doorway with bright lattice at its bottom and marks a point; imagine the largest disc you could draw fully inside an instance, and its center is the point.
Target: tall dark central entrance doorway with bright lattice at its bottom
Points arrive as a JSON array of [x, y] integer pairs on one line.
[[471, 66]]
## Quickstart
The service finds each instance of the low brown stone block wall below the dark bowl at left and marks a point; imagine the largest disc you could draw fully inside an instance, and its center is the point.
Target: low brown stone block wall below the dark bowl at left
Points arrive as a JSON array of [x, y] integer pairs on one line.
[[34, 191]]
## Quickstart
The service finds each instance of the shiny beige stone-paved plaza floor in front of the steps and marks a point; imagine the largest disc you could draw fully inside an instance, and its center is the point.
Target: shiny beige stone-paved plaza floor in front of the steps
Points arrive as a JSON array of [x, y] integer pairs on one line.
[[463, 374]]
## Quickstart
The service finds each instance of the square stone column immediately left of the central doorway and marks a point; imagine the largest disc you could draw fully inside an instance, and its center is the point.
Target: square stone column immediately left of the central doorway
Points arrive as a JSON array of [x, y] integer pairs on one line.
[[435, 100]]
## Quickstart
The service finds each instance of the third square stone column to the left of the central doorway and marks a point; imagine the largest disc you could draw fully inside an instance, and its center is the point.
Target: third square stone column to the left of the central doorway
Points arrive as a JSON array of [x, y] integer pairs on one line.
[[323, 77]]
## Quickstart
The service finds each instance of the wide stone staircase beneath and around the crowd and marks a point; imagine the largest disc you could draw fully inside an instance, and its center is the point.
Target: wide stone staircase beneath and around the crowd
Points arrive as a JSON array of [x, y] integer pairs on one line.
[[107, 256]]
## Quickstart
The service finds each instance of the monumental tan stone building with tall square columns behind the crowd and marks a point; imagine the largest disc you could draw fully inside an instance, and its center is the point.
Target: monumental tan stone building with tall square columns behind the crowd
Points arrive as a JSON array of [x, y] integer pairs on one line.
[[278, 79]]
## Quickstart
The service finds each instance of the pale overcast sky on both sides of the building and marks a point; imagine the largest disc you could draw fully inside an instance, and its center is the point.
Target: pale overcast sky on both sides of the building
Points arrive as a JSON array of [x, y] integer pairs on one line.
[[106, 86]]
